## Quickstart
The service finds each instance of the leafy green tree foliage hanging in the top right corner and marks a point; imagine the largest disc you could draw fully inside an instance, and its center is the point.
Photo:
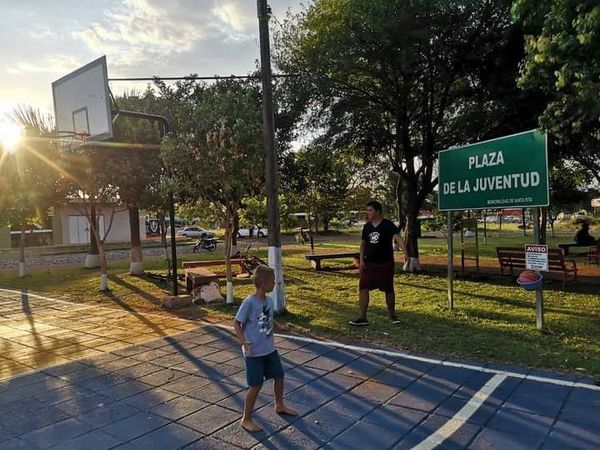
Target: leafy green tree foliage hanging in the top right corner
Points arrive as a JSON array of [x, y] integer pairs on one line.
[[562, 61]]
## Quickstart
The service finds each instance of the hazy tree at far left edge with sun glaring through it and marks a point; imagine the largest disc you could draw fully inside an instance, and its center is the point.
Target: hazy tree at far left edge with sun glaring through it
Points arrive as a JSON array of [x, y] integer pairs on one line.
[[28, 178]]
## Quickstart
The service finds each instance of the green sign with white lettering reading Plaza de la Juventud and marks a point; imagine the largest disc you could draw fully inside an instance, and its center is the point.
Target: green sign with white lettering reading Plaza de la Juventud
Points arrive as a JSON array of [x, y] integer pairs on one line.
[[507, 172]]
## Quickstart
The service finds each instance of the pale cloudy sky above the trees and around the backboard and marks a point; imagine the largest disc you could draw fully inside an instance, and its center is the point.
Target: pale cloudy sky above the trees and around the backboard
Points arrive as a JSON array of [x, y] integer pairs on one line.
[[42, 40]]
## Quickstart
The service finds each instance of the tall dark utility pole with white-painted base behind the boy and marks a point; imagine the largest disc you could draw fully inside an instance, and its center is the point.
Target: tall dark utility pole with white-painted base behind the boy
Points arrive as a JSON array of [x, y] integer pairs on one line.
[[275, 259]]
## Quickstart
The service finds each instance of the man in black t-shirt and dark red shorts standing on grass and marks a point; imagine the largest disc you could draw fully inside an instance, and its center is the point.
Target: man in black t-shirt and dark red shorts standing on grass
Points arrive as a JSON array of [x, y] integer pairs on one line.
[[377, 261]]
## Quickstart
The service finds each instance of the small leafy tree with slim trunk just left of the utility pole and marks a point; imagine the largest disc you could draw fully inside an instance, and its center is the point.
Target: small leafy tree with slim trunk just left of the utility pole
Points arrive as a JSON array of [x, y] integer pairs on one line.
[[216, 150]]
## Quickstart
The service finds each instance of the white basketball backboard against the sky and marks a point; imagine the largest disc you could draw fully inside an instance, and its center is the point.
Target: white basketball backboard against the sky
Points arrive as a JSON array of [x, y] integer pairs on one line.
[[82, 103]]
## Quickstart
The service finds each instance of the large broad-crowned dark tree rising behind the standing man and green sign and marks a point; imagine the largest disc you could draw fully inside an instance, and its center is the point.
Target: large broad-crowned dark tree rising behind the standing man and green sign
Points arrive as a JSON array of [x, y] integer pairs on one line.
[[398, 78]]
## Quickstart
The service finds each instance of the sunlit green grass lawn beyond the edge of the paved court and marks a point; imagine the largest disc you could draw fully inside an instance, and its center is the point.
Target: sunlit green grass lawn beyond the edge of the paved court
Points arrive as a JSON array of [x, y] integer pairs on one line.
[[491, 322]]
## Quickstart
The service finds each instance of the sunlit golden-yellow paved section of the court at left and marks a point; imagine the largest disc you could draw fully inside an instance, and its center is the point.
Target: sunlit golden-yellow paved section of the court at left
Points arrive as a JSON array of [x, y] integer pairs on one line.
[[36, 331]]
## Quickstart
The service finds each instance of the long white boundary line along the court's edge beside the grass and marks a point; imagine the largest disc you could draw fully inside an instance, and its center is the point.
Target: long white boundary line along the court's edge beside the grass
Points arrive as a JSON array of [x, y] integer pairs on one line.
[[355, 348]]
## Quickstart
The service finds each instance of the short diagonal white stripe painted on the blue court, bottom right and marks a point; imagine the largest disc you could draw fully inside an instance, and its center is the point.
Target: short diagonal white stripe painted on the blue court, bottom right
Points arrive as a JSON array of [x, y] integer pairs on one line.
[[465, 413]]
